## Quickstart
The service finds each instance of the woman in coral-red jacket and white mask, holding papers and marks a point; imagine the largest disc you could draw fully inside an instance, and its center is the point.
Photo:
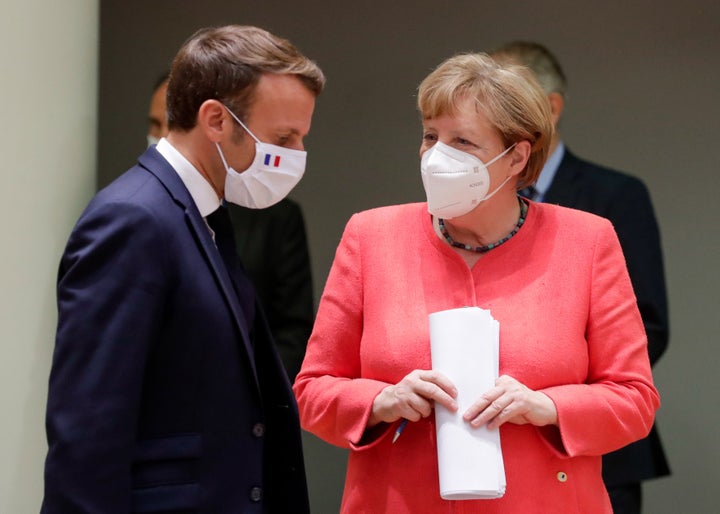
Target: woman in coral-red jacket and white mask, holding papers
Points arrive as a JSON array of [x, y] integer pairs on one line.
[[575, 380]]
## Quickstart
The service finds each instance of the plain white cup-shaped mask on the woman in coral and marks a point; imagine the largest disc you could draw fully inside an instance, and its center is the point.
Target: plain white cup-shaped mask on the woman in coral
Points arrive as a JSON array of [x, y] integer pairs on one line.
[[455, 182]]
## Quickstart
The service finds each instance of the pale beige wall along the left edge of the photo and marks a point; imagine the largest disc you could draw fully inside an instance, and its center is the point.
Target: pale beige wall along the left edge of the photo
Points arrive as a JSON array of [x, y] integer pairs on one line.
[[48, 86]]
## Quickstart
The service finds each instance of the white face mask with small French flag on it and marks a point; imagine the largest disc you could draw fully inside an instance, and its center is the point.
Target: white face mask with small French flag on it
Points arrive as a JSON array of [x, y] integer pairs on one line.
[[274, 172]]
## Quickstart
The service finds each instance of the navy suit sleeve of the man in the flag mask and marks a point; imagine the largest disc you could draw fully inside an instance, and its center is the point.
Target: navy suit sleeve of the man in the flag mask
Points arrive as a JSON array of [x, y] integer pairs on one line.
[[110, 301]]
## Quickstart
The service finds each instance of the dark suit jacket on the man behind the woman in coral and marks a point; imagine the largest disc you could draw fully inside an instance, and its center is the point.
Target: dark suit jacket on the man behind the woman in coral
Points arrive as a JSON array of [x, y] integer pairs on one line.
[[625, 201]]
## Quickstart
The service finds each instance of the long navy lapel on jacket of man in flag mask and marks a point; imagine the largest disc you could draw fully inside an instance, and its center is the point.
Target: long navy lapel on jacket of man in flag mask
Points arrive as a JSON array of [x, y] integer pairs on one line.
[[158, 166]]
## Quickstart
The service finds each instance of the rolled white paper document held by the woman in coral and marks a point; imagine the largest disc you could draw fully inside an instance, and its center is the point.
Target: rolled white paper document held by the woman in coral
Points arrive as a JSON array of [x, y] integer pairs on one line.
[[464, 345]]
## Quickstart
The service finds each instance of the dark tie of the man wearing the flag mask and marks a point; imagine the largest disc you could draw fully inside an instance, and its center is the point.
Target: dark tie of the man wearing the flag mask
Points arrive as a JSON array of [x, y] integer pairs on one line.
[[219, 222]]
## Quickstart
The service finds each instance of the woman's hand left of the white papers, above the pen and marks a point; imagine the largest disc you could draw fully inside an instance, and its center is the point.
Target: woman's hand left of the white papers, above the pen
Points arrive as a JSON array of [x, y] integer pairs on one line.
[[413, 397]]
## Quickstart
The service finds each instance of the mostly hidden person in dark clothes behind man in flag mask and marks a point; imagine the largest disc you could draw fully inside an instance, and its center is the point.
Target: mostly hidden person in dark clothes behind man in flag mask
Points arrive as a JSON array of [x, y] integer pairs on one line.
[[273, 248]]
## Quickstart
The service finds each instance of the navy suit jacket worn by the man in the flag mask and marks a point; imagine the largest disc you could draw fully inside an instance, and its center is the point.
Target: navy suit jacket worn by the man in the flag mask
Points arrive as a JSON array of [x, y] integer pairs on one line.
[[162, 397]]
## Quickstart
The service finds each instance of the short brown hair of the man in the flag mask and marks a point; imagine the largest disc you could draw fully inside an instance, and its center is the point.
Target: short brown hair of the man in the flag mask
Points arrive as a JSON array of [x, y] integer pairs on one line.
[[225, 64]]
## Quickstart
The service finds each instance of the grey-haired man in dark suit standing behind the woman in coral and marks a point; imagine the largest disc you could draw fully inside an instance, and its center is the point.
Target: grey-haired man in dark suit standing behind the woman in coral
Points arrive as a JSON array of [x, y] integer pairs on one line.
[[572, 182]]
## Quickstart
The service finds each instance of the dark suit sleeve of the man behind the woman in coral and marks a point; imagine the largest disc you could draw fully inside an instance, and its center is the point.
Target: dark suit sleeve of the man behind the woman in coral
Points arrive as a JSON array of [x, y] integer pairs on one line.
[[633, 217]]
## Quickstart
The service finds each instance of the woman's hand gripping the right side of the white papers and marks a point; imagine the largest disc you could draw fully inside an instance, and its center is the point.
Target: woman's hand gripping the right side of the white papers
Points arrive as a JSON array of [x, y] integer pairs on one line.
[[511, 401]]
